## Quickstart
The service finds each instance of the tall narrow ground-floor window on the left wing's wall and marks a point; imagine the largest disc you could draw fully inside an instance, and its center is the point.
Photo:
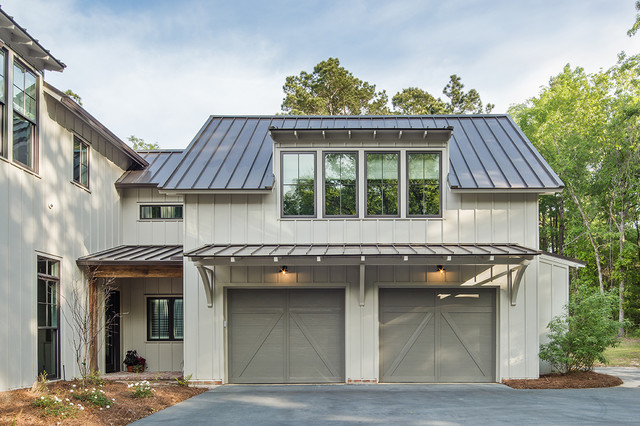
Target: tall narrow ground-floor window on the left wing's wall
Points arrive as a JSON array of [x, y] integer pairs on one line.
[[48, 316]]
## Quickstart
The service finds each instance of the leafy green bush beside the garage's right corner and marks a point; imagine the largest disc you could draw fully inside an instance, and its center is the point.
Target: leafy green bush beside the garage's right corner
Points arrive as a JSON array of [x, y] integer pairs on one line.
[[578, 339]]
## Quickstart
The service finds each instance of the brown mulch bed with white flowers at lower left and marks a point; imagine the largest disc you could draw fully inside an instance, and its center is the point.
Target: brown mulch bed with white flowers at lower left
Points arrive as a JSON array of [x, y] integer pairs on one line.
[[16, 408]]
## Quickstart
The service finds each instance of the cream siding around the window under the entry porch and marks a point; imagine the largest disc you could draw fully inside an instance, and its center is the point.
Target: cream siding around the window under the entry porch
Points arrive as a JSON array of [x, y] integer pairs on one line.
[[160, 356]]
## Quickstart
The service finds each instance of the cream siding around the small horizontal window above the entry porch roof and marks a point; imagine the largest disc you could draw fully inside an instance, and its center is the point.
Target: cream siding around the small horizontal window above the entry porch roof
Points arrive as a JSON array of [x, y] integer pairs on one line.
[[148, 232]]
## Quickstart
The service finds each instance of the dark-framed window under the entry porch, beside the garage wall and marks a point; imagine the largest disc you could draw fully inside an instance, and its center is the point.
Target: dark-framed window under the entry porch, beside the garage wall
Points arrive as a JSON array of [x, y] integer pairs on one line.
[[165, 318]]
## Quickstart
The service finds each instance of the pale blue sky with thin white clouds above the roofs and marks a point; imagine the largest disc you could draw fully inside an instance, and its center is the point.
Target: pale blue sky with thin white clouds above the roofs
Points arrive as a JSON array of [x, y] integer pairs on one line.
[[157, 69]]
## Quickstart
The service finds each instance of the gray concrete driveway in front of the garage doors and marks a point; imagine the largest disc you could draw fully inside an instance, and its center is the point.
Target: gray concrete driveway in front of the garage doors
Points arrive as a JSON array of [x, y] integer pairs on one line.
[[441, 404]]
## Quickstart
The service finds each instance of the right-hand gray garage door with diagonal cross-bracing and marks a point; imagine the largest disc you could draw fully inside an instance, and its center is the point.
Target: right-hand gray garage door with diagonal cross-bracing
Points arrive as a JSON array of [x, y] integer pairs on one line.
[[429, 335]]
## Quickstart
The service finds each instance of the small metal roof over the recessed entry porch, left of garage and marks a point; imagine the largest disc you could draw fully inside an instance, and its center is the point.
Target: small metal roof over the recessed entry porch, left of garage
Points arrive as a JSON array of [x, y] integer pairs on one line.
[[135, 255]]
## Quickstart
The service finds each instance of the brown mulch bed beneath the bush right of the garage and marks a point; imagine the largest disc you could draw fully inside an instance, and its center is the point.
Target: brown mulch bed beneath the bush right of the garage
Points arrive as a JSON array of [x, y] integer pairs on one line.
[[573, 380]]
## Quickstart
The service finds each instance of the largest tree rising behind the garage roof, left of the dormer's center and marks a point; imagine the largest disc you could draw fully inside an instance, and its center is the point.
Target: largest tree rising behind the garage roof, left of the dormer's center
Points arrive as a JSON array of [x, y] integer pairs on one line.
[[331, 90]]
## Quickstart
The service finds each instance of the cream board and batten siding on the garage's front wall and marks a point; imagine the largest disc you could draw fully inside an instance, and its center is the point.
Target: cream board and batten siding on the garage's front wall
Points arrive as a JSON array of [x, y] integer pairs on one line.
[[255, 219]]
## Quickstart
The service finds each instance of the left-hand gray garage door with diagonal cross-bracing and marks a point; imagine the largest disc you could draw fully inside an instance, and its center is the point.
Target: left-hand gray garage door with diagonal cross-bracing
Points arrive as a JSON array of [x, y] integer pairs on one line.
[[286, 336]]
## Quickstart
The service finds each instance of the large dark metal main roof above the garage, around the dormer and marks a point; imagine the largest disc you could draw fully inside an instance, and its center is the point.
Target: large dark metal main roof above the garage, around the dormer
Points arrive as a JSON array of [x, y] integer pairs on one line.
[[486, 151]]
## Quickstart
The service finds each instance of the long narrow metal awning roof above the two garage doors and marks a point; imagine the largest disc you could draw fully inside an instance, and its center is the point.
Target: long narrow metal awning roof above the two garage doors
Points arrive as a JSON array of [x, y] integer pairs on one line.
[[431, 253]]
